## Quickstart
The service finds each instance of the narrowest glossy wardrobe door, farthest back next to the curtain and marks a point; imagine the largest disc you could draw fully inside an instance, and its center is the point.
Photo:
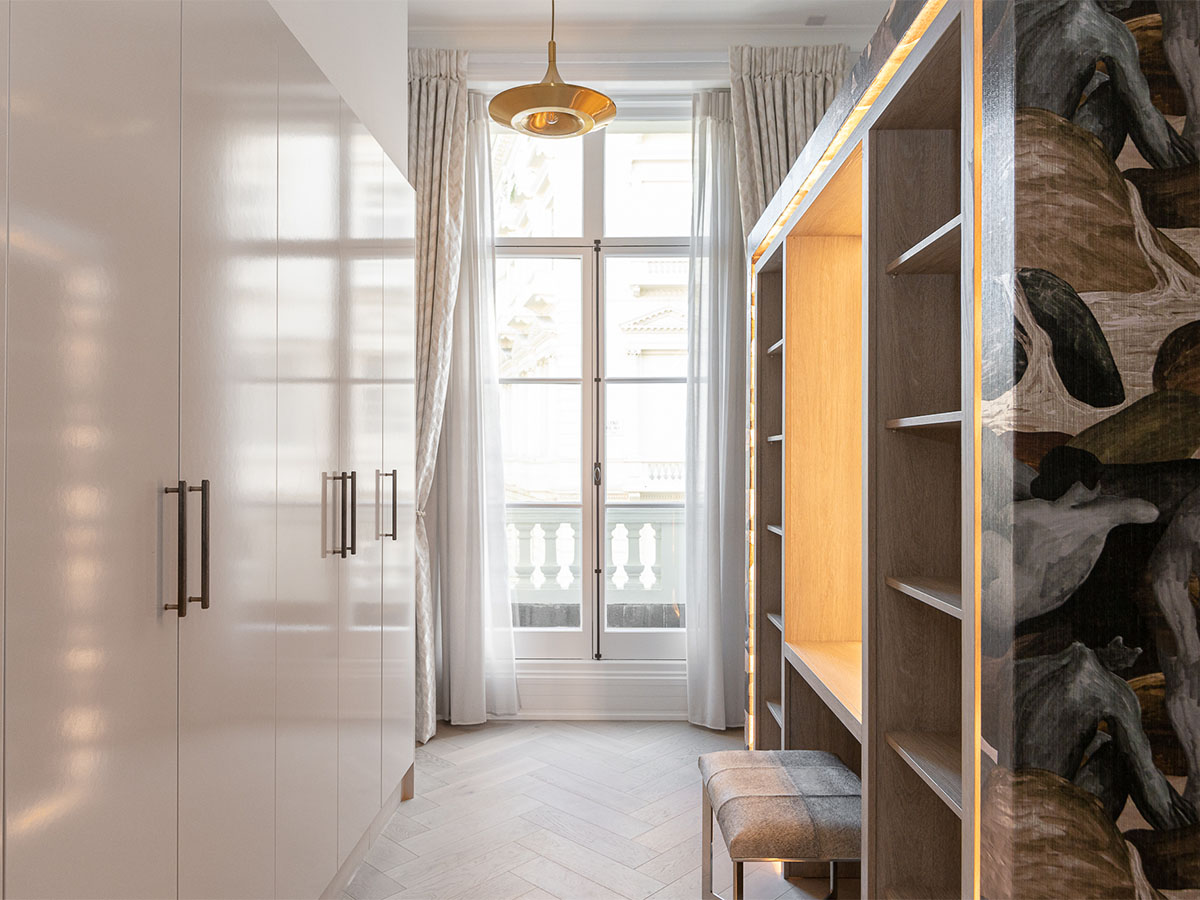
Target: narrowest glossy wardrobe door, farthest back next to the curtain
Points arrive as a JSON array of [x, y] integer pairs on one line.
[[400, 466]]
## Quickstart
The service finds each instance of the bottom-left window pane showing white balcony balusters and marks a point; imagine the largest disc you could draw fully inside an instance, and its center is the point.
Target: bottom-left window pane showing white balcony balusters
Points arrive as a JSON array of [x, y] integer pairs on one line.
[[545, 567]]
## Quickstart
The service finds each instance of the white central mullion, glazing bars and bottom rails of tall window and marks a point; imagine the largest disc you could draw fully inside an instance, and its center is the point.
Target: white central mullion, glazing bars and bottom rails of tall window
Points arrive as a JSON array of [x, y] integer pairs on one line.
[[592, 249]]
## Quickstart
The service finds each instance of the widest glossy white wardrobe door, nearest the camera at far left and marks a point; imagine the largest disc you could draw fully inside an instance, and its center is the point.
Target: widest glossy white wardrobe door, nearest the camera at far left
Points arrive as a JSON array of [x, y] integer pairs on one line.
[[93, 339]]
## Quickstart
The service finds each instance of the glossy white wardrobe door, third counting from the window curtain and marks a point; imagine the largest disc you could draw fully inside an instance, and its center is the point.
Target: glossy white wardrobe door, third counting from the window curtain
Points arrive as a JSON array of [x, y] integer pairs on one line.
[[307, 632]]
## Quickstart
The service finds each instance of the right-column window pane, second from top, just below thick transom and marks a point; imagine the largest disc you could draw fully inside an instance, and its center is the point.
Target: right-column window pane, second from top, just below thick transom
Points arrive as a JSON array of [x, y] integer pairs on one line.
[[646, 317]]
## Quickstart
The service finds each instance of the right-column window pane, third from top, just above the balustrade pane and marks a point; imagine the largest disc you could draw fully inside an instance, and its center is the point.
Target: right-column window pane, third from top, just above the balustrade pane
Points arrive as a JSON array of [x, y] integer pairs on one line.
[[645, 442]]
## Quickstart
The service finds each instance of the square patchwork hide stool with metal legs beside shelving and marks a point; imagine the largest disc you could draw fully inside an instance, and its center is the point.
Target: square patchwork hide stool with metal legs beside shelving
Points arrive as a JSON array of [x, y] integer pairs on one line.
[[781, 806]]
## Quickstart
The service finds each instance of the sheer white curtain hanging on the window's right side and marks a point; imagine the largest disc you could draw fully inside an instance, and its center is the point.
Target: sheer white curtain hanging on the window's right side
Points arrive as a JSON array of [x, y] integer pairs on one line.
[[716, 494]]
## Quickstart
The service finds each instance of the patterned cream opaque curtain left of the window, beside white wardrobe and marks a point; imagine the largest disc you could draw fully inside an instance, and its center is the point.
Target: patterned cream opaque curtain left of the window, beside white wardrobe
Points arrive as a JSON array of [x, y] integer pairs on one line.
[[437, 130]]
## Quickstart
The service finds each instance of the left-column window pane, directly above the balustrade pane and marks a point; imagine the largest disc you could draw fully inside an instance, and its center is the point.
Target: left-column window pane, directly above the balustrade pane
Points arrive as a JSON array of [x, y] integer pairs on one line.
[[542, 435]]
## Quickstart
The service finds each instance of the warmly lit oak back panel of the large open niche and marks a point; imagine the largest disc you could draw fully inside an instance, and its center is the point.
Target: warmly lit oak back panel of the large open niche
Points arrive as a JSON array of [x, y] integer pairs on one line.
[[823, 447]]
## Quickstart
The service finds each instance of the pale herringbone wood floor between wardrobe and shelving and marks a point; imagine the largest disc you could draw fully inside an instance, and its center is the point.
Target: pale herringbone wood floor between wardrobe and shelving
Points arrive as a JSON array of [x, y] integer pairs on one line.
[[567, 811]]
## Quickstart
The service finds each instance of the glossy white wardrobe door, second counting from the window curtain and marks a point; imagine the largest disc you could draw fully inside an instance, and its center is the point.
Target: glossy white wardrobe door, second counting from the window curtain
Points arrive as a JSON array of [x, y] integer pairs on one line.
[[362, 454]]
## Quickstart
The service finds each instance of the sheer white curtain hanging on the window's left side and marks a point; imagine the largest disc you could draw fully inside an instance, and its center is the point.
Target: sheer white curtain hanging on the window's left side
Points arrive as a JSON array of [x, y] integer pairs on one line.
[[478, 675]]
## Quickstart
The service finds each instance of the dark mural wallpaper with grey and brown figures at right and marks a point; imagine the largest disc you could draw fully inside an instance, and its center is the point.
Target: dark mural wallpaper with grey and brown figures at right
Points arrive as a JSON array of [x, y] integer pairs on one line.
[[1093, 434]]
